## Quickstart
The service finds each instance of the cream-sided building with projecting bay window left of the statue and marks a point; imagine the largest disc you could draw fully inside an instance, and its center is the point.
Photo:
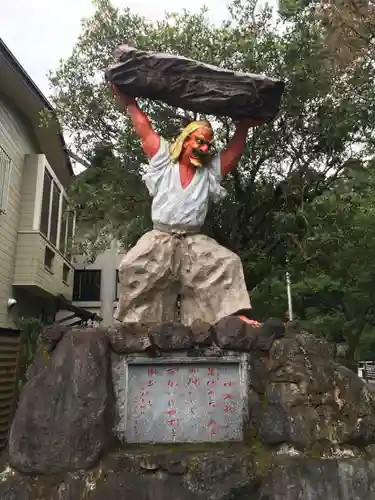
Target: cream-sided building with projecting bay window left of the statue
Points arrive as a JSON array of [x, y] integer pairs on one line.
[[35, 228]]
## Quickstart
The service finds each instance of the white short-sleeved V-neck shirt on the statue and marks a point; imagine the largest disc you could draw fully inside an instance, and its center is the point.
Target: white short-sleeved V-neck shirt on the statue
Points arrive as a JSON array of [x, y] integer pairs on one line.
[[172, 204]]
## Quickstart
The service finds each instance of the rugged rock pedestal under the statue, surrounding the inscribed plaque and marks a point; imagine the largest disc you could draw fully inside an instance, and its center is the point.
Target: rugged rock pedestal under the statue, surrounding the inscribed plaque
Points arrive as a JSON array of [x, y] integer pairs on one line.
[[308, 423]]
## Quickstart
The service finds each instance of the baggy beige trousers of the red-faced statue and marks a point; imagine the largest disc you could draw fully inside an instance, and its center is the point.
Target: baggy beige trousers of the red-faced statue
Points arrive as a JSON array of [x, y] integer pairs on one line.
[[162, 265]]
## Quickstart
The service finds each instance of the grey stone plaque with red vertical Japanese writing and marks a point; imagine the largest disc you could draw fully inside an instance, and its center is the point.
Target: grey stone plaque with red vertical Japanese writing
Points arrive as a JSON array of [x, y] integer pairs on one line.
[[192, 402]]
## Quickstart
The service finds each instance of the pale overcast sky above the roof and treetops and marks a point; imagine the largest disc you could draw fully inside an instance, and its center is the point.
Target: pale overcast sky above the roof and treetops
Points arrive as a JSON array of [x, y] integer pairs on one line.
[[41, 32]]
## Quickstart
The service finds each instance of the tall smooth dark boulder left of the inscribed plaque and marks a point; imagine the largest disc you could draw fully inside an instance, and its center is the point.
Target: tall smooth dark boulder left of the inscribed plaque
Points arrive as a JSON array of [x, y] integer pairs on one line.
[[63, 420]]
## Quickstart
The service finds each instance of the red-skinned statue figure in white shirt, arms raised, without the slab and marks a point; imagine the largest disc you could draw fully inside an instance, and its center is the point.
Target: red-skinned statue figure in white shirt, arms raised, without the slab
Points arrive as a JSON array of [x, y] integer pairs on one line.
[[175, 259]]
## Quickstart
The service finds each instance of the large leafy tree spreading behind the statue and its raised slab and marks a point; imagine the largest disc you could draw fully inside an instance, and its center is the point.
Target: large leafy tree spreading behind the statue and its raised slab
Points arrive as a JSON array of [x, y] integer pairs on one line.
[[283, 199]]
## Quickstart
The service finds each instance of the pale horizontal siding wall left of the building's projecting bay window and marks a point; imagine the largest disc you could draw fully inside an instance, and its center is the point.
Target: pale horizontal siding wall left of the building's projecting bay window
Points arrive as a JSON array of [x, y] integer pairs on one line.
[[15, 141]]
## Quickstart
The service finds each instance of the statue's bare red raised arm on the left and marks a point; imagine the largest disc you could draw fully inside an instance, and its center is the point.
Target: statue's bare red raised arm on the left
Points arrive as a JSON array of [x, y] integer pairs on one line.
[[150, 140]]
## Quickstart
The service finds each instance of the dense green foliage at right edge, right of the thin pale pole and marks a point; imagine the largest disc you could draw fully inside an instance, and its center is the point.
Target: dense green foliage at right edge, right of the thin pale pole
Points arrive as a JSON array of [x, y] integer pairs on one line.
[[333, 265]]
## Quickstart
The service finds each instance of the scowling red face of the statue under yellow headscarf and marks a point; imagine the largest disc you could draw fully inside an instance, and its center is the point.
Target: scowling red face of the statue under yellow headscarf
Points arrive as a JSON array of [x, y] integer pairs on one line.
[[198, 147]]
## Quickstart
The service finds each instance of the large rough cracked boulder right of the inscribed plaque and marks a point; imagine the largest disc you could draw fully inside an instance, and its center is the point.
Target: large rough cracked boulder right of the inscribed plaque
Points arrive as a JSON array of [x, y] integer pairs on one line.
[[299, 395]]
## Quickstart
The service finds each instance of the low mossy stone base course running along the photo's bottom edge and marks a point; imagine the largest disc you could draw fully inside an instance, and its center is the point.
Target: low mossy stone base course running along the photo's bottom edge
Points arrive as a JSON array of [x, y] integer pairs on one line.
[[233, 474]]
